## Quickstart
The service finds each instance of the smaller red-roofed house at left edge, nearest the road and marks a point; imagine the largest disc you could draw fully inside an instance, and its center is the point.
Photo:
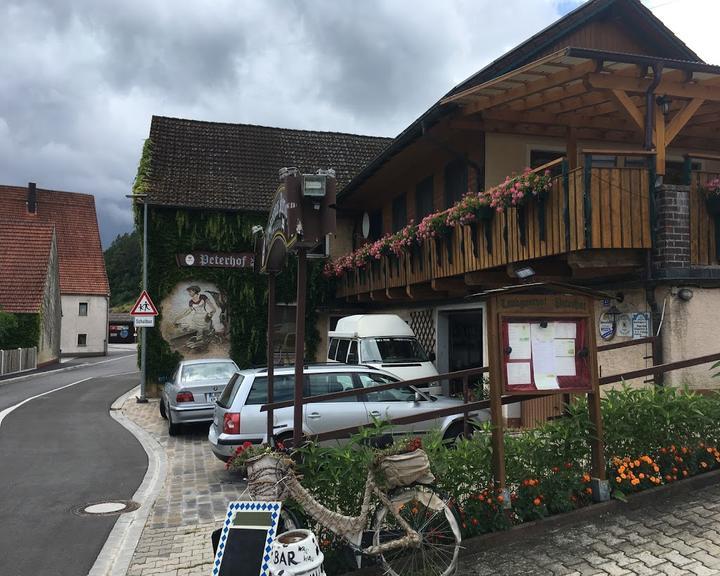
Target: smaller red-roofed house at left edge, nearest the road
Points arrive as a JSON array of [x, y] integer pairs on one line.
[[30, 286]]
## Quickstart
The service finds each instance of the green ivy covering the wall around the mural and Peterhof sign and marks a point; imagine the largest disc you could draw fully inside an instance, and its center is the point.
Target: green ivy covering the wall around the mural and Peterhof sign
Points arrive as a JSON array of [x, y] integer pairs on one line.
[[172, 231]]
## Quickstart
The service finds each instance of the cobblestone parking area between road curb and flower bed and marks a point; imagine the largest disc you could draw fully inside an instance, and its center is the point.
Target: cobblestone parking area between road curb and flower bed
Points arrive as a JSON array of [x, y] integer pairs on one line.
[[192, 503]]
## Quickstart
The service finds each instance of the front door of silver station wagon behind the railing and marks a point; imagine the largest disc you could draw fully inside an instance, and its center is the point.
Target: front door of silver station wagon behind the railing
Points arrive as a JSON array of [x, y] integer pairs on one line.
[[395, 403]]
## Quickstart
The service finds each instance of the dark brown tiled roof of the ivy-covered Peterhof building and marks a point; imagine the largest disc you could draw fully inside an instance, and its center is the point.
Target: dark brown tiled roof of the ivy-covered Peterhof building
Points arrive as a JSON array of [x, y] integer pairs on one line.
[[235, 166]]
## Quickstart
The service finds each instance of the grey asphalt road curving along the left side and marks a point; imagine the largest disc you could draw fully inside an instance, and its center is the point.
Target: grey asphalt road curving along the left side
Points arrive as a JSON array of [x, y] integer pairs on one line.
[[59, 451]]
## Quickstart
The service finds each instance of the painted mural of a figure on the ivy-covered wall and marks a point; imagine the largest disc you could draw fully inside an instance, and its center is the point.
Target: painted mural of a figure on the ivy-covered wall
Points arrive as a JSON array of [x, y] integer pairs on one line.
[[194, 320]]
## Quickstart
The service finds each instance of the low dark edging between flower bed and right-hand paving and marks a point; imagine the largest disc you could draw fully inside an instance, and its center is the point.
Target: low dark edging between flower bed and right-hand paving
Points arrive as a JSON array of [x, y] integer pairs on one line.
[[523, 532]]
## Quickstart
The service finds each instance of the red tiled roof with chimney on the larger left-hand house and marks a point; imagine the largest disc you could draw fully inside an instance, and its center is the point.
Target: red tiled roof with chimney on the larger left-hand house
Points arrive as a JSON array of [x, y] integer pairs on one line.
[[82, 268]]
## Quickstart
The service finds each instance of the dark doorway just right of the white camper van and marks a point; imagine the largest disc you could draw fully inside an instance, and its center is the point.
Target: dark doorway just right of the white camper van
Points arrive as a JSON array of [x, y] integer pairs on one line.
[[465, 344]]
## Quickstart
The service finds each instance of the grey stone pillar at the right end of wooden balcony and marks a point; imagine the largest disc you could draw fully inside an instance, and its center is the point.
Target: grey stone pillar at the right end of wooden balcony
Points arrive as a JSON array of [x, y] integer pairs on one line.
[[672, 218]]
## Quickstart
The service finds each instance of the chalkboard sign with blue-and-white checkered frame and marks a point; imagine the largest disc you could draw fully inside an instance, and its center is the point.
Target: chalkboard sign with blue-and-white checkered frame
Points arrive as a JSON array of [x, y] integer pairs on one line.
[[246, 538]]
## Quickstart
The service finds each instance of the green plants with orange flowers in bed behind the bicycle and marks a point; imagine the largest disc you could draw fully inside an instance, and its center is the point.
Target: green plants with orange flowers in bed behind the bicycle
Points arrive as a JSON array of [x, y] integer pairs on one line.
[[653, 436]]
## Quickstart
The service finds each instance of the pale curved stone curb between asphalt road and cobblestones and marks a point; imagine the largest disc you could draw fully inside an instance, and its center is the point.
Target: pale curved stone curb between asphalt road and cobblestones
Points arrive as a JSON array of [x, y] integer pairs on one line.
[[117, 552]]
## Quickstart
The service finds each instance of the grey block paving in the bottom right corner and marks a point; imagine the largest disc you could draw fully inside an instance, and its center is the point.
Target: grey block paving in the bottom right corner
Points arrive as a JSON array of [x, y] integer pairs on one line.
[[669, 535]]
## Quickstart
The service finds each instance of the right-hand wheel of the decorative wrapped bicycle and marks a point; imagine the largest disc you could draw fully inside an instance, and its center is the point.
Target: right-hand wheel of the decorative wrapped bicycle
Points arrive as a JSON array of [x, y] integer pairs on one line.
[[431, 517]]
